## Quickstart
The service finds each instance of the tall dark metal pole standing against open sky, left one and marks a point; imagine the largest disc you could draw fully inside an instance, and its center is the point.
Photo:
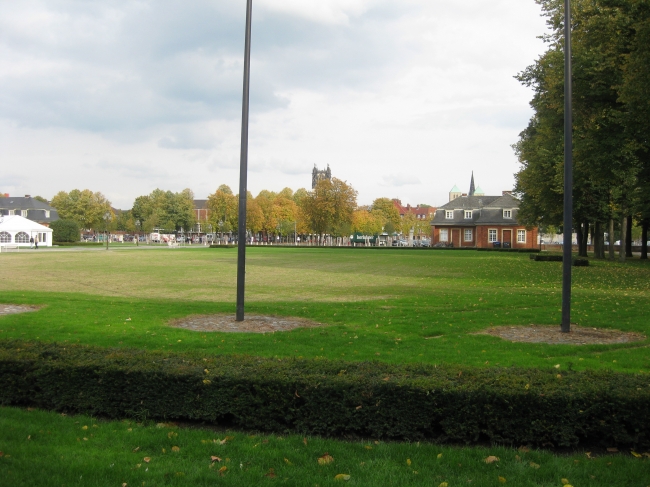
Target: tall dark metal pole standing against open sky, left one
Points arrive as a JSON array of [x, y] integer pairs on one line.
[[243, 171]]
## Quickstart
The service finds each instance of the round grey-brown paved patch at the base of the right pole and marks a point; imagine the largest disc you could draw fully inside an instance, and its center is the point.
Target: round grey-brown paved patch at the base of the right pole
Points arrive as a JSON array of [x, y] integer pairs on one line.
[[579, 335]]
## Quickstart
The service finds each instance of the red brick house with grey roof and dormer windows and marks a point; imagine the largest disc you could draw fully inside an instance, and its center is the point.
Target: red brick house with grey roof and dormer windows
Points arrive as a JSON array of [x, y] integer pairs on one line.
[[482, 222]]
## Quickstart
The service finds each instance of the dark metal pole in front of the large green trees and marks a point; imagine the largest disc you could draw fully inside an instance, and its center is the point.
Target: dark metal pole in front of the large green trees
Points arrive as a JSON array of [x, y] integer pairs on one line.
[[568, 175]]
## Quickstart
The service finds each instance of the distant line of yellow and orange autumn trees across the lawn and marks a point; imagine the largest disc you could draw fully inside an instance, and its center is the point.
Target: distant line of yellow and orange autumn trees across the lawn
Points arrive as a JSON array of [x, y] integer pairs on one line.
[[330, 208]]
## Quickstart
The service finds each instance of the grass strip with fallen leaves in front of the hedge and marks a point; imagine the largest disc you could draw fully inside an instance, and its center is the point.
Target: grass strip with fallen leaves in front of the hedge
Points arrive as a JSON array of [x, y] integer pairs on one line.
[[46, 449]]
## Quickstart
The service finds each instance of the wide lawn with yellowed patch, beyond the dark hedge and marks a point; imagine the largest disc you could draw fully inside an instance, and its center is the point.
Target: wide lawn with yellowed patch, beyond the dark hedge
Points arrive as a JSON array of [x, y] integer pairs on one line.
[[393, 306]]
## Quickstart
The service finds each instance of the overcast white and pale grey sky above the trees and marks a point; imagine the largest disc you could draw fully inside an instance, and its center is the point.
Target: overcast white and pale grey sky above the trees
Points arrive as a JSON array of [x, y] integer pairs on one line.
[[402, 98]]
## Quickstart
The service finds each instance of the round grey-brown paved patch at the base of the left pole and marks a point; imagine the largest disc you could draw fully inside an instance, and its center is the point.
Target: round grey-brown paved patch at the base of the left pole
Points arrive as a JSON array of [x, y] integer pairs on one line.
[[251, 324]]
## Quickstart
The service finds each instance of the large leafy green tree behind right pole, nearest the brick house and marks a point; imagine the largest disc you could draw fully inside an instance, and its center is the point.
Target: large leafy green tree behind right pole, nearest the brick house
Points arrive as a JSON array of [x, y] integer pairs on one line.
[[606, 166]]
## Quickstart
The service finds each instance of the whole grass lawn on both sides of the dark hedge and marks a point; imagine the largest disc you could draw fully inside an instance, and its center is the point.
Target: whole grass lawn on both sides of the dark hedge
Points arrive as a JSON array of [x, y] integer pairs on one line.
[[392, 306]]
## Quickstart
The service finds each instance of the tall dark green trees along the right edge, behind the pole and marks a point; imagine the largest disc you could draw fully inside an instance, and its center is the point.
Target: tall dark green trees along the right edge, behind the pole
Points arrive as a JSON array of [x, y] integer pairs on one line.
[[611, 123]]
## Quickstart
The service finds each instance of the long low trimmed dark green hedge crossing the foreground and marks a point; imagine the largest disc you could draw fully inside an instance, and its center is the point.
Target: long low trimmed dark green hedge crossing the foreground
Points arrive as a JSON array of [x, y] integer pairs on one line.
[[333, 398]]
